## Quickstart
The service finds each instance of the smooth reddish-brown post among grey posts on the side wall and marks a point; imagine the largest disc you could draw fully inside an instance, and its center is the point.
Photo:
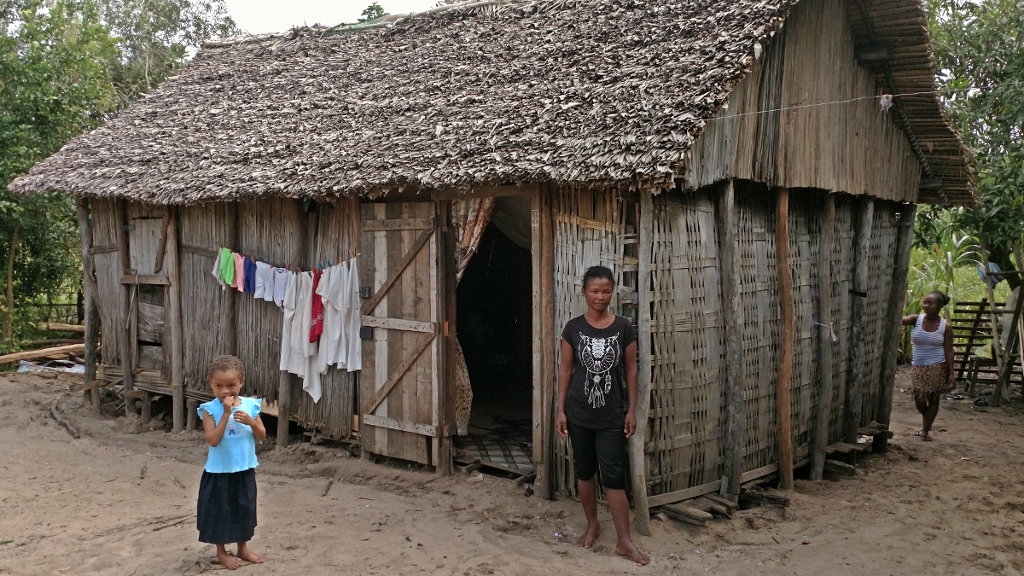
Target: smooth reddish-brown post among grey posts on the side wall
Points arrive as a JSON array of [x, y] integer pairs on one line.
[[783, 400]]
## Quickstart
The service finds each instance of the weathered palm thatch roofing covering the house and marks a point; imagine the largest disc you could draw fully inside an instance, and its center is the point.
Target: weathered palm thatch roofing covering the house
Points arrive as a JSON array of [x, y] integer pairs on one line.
[[596, 93]]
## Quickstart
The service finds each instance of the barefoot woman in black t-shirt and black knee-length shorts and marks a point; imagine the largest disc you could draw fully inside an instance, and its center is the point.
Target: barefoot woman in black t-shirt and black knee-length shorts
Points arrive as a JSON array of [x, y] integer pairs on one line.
[[596, 347]]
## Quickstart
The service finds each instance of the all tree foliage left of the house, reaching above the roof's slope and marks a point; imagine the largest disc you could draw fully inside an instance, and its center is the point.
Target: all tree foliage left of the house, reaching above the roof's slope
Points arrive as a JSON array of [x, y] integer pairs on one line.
[[67, 66]]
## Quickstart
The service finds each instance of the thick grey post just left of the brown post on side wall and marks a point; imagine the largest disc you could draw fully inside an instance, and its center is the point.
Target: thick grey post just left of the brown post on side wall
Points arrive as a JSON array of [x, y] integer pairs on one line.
[[726, 217]]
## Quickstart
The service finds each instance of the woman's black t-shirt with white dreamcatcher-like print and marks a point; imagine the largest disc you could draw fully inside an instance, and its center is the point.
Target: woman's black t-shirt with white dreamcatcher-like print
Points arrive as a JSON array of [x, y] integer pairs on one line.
[[594, 399]]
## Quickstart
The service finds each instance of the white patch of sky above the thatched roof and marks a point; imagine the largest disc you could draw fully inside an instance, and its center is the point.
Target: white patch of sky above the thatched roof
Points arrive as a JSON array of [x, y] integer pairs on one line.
[[260, 17]]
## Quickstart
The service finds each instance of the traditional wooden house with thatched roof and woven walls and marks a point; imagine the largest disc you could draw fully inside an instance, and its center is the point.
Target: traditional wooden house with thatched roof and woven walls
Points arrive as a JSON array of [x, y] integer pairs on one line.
[[749, 169]]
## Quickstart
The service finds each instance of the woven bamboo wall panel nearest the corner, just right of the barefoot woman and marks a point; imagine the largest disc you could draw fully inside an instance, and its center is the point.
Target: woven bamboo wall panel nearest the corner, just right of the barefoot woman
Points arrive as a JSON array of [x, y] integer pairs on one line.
[[688, 418]]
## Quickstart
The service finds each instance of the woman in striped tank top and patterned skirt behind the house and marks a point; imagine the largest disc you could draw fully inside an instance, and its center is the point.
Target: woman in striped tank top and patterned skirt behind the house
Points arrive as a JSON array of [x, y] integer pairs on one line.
[[933, 358]]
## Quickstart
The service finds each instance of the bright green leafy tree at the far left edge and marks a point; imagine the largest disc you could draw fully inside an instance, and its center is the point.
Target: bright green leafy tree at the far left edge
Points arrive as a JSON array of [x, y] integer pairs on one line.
[[54, 86]]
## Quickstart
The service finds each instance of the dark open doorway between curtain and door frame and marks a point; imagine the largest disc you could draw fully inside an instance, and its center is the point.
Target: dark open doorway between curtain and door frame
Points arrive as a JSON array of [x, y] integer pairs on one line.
[[495, 314]]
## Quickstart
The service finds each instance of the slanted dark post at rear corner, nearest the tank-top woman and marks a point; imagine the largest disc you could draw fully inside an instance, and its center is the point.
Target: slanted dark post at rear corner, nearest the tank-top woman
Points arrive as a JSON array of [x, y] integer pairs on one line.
[[894, 321]]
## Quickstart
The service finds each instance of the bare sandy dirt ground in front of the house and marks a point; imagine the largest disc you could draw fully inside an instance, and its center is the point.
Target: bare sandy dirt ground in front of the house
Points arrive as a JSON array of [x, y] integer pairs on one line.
[[82, 507]]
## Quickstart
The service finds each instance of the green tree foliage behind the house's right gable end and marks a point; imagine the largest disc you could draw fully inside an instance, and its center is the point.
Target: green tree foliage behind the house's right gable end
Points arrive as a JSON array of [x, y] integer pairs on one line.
[[979, 50]]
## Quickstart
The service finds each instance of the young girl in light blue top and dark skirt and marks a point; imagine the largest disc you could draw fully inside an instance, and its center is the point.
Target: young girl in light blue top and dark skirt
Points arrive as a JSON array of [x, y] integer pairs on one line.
[[227, 511]]
